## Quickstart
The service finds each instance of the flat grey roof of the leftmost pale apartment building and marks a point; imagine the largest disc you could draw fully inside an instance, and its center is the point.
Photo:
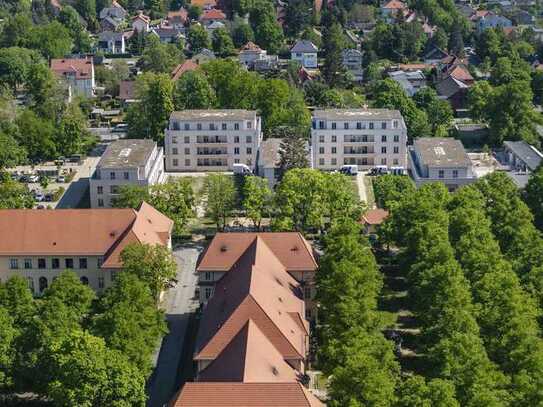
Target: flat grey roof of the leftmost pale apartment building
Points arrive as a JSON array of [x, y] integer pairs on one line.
[[127, 153]]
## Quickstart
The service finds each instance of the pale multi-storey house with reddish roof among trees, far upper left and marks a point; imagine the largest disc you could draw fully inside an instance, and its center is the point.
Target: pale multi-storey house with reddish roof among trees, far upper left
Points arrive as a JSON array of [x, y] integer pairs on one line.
[[78, 74]]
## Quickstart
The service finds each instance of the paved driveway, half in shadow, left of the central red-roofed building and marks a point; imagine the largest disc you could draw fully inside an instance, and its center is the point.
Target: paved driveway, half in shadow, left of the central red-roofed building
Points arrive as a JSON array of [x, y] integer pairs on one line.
[[179, 303]]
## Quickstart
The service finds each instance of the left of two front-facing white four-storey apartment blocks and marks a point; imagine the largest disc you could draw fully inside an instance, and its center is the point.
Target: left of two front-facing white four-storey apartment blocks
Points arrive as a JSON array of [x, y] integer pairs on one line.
[[212, 140]]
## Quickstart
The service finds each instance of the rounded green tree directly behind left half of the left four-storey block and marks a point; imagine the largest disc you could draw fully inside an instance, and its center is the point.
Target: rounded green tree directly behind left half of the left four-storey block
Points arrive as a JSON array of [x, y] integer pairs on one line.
[[193, 91]]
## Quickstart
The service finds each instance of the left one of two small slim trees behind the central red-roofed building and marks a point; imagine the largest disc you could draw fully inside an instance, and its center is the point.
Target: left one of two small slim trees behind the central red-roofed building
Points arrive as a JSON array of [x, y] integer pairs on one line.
[[220, 198]]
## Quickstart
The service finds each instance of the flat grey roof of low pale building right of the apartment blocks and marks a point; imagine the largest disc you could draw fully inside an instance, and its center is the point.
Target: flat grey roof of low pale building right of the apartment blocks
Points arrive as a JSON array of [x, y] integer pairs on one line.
[[441, 152]]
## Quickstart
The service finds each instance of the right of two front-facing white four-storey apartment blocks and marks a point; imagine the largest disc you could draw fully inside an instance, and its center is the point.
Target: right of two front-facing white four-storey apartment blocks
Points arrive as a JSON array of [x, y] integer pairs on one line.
[[363, 137]]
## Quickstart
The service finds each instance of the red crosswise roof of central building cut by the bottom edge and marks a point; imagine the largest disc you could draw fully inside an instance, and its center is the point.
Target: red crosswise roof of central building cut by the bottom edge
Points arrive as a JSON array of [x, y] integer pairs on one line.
[[202, 394]]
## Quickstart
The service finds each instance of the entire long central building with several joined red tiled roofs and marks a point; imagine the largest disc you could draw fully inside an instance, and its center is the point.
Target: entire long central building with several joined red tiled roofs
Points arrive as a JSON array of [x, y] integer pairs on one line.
[[253, 338]]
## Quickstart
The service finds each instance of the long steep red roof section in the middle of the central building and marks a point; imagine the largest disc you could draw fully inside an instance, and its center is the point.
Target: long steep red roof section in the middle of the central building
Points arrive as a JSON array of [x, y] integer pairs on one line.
[[257, 288]]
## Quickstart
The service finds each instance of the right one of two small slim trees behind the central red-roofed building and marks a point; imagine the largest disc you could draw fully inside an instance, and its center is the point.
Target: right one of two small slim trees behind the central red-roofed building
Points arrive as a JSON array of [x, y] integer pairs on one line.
[[257, 198]]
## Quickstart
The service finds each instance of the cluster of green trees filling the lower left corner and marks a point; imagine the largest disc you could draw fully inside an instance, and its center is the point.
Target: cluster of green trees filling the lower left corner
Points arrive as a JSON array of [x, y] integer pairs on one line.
[[77, 349]]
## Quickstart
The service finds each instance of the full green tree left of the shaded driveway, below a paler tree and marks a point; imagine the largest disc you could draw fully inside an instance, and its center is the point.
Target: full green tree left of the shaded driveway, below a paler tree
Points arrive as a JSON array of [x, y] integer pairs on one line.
[[129, 321]]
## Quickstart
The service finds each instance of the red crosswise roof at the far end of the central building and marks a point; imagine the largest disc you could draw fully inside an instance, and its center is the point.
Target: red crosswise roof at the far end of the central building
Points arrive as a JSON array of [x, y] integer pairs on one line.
[[290, 248]]
